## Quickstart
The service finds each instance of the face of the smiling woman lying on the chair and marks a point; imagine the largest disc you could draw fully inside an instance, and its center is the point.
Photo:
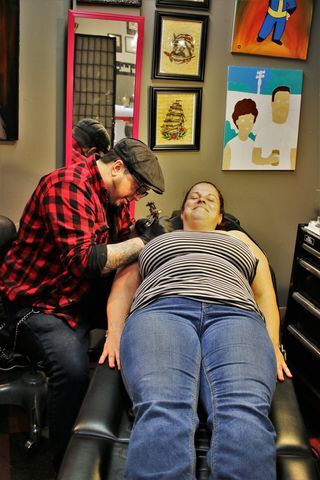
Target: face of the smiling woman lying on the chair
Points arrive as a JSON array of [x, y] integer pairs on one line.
[[202, 208]]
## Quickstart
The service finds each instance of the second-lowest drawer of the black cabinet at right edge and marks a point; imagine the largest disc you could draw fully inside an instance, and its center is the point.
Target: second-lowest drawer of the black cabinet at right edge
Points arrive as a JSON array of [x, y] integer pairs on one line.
[[305, 316]]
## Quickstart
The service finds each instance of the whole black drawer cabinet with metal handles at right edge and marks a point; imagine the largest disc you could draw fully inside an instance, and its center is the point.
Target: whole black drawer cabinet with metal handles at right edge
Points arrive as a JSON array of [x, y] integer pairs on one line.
[[301, 336]]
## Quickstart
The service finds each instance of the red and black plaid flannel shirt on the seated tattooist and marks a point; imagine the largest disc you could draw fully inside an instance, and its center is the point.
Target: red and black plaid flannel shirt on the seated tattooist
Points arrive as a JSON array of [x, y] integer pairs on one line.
[[65, 217]]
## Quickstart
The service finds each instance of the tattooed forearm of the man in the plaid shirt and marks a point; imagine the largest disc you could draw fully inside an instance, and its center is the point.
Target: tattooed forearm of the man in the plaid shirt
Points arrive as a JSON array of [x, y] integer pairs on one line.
[[120, 254]]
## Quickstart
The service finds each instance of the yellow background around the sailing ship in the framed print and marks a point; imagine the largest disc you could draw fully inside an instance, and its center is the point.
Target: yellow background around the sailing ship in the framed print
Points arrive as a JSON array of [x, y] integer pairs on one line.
[[164, 101]]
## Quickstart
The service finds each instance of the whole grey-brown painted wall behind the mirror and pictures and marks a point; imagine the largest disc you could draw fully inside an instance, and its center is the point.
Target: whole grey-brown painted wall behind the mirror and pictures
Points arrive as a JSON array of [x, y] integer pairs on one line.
[[269, 204]]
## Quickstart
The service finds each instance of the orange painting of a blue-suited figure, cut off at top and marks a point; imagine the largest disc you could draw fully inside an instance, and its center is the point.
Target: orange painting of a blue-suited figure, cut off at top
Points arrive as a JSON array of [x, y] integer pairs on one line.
[[272, 27]]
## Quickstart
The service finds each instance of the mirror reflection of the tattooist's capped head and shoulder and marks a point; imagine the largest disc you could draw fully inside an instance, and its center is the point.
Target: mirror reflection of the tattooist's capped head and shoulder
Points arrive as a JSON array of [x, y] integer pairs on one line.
[[89, 137]]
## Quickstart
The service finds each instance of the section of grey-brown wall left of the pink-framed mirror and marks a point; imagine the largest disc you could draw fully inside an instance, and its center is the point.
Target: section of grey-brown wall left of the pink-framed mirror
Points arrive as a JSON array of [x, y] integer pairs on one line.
[[41, 104]]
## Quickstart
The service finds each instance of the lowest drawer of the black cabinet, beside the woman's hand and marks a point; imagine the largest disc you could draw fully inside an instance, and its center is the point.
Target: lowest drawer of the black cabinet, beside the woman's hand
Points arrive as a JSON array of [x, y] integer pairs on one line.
[[303, 358]]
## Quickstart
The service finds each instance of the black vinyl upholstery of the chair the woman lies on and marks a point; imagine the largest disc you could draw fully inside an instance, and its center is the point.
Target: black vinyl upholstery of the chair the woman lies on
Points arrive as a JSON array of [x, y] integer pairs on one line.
[[98, 446]]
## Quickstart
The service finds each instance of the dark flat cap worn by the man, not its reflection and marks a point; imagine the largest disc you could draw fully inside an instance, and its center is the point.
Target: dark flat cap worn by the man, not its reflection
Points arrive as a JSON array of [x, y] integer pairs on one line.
[[141, 161]]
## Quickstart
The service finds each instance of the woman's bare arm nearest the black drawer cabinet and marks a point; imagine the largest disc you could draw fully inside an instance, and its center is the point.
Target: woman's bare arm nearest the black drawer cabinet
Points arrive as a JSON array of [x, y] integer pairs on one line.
[[263, 290]]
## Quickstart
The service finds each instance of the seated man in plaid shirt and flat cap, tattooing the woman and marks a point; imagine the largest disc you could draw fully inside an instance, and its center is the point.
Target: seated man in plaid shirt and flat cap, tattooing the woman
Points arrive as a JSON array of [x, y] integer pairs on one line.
[[73, 235]]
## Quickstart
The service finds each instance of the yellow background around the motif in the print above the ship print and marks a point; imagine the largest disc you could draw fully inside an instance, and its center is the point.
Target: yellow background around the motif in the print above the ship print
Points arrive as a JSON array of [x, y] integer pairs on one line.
[[170, 27]]
